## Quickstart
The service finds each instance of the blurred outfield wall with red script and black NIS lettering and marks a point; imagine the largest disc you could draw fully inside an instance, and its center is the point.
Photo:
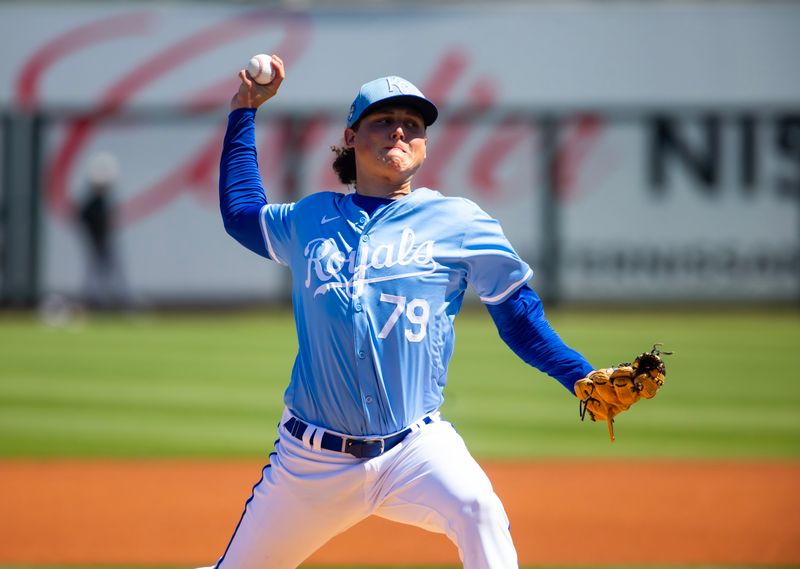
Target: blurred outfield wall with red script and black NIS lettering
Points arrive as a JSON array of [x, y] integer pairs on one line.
[[632, 152]]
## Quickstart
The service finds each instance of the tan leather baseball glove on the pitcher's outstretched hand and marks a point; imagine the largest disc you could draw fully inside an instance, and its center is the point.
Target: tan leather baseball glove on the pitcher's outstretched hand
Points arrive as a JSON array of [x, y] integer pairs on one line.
[[605, 393]]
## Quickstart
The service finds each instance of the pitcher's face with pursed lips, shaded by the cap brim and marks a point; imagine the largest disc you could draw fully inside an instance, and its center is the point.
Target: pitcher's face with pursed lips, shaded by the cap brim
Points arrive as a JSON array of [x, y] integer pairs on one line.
[[389, 143]]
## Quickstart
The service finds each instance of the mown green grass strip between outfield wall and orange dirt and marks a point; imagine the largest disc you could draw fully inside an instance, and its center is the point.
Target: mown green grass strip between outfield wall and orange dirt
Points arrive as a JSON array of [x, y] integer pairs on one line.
[[211, 386]]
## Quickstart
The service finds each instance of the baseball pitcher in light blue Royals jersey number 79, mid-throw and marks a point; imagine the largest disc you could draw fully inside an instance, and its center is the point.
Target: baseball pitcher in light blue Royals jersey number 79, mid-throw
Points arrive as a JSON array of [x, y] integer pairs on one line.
[[378, 276]]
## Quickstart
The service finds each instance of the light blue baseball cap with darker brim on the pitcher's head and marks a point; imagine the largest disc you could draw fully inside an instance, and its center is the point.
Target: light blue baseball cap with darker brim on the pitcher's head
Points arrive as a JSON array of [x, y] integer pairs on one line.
[[388, 90]]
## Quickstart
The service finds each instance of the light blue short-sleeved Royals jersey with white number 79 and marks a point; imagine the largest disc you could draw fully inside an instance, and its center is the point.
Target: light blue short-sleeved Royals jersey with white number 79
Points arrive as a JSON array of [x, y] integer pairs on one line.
[[375, 297]]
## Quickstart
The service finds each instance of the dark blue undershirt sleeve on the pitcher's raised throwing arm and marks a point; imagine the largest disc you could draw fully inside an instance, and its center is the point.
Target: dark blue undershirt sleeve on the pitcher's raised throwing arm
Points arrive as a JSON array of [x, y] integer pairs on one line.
[[241, 193]]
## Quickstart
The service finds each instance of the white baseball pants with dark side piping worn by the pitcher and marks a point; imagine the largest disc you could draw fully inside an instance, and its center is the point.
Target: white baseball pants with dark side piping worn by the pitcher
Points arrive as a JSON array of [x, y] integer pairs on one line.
[[308, 495]]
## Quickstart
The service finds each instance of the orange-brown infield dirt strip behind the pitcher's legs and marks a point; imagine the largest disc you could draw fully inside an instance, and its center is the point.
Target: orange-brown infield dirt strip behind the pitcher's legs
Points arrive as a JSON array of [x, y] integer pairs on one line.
[[562, 512]]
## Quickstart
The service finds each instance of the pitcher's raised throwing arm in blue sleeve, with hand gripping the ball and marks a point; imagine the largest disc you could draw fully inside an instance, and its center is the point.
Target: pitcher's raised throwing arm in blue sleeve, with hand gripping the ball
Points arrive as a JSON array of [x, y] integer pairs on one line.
[[241, 192]]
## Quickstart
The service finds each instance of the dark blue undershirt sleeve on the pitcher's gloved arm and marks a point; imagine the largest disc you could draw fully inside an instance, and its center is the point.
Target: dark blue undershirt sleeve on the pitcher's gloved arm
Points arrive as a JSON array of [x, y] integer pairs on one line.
[[522, 325]]
